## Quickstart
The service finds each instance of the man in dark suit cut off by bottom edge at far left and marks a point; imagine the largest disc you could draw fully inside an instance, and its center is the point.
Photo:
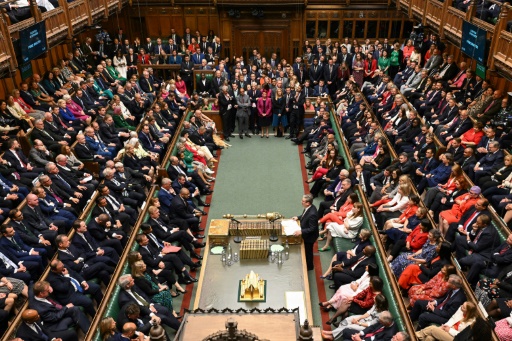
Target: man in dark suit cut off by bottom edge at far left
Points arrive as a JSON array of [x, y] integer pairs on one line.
[[32, 329]]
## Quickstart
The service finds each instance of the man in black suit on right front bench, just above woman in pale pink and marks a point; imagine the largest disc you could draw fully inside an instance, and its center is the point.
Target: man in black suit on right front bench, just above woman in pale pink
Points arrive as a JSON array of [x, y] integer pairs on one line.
[[352, 269]]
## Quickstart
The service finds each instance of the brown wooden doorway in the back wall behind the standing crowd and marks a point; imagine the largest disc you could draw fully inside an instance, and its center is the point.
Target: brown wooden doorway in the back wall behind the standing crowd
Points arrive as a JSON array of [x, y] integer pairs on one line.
[[266, 40]]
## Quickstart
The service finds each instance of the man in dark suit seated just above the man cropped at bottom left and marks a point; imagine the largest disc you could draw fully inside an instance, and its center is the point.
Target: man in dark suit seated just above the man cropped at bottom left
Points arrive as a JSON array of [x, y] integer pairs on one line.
[[56, 317]]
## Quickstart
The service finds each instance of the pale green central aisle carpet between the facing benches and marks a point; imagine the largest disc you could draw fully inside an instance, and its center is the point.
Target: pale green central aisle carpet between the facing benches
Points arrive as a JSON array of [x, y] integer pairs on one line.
[[257, 176]]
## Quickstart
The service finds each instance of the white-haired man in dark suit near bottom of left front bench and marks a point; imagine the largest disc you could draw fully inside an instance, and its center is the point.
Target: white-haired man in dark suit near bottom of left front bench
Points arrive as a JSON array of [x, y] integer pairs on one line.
[[131, 293]]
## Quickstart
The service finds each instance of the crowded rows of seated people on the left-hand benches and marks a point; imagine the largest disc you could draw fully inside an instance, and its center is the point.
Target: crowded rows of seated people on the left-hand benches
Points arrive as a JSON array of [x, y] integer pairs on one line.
[[70, 118]]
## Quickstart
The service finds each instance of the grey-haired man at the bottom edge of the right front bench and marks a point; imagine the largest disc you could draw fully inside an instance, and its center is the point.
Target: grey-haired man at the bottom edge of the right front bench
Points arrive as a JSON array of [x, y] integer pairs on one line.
[[382, 330]]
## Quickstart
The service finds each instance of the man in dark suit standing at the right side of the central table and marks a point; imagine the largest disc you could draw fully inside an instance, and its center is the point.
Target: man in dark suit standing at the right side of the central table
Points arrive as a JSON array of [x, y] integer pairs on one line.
[[308, 228]]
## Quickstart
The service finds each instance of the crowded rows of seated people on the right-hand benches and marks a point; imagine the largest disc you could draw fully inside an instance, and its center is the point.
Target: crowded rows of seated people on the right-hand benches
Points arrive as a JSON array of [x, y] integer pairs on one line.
[[419, 253]]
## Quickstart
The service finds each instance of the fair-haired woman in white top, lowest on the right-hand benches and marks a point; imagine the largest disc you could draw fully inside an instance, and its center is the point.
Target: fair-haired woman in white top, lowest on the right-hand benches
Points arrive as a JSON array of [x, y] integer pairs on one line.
[[463, 318]]
